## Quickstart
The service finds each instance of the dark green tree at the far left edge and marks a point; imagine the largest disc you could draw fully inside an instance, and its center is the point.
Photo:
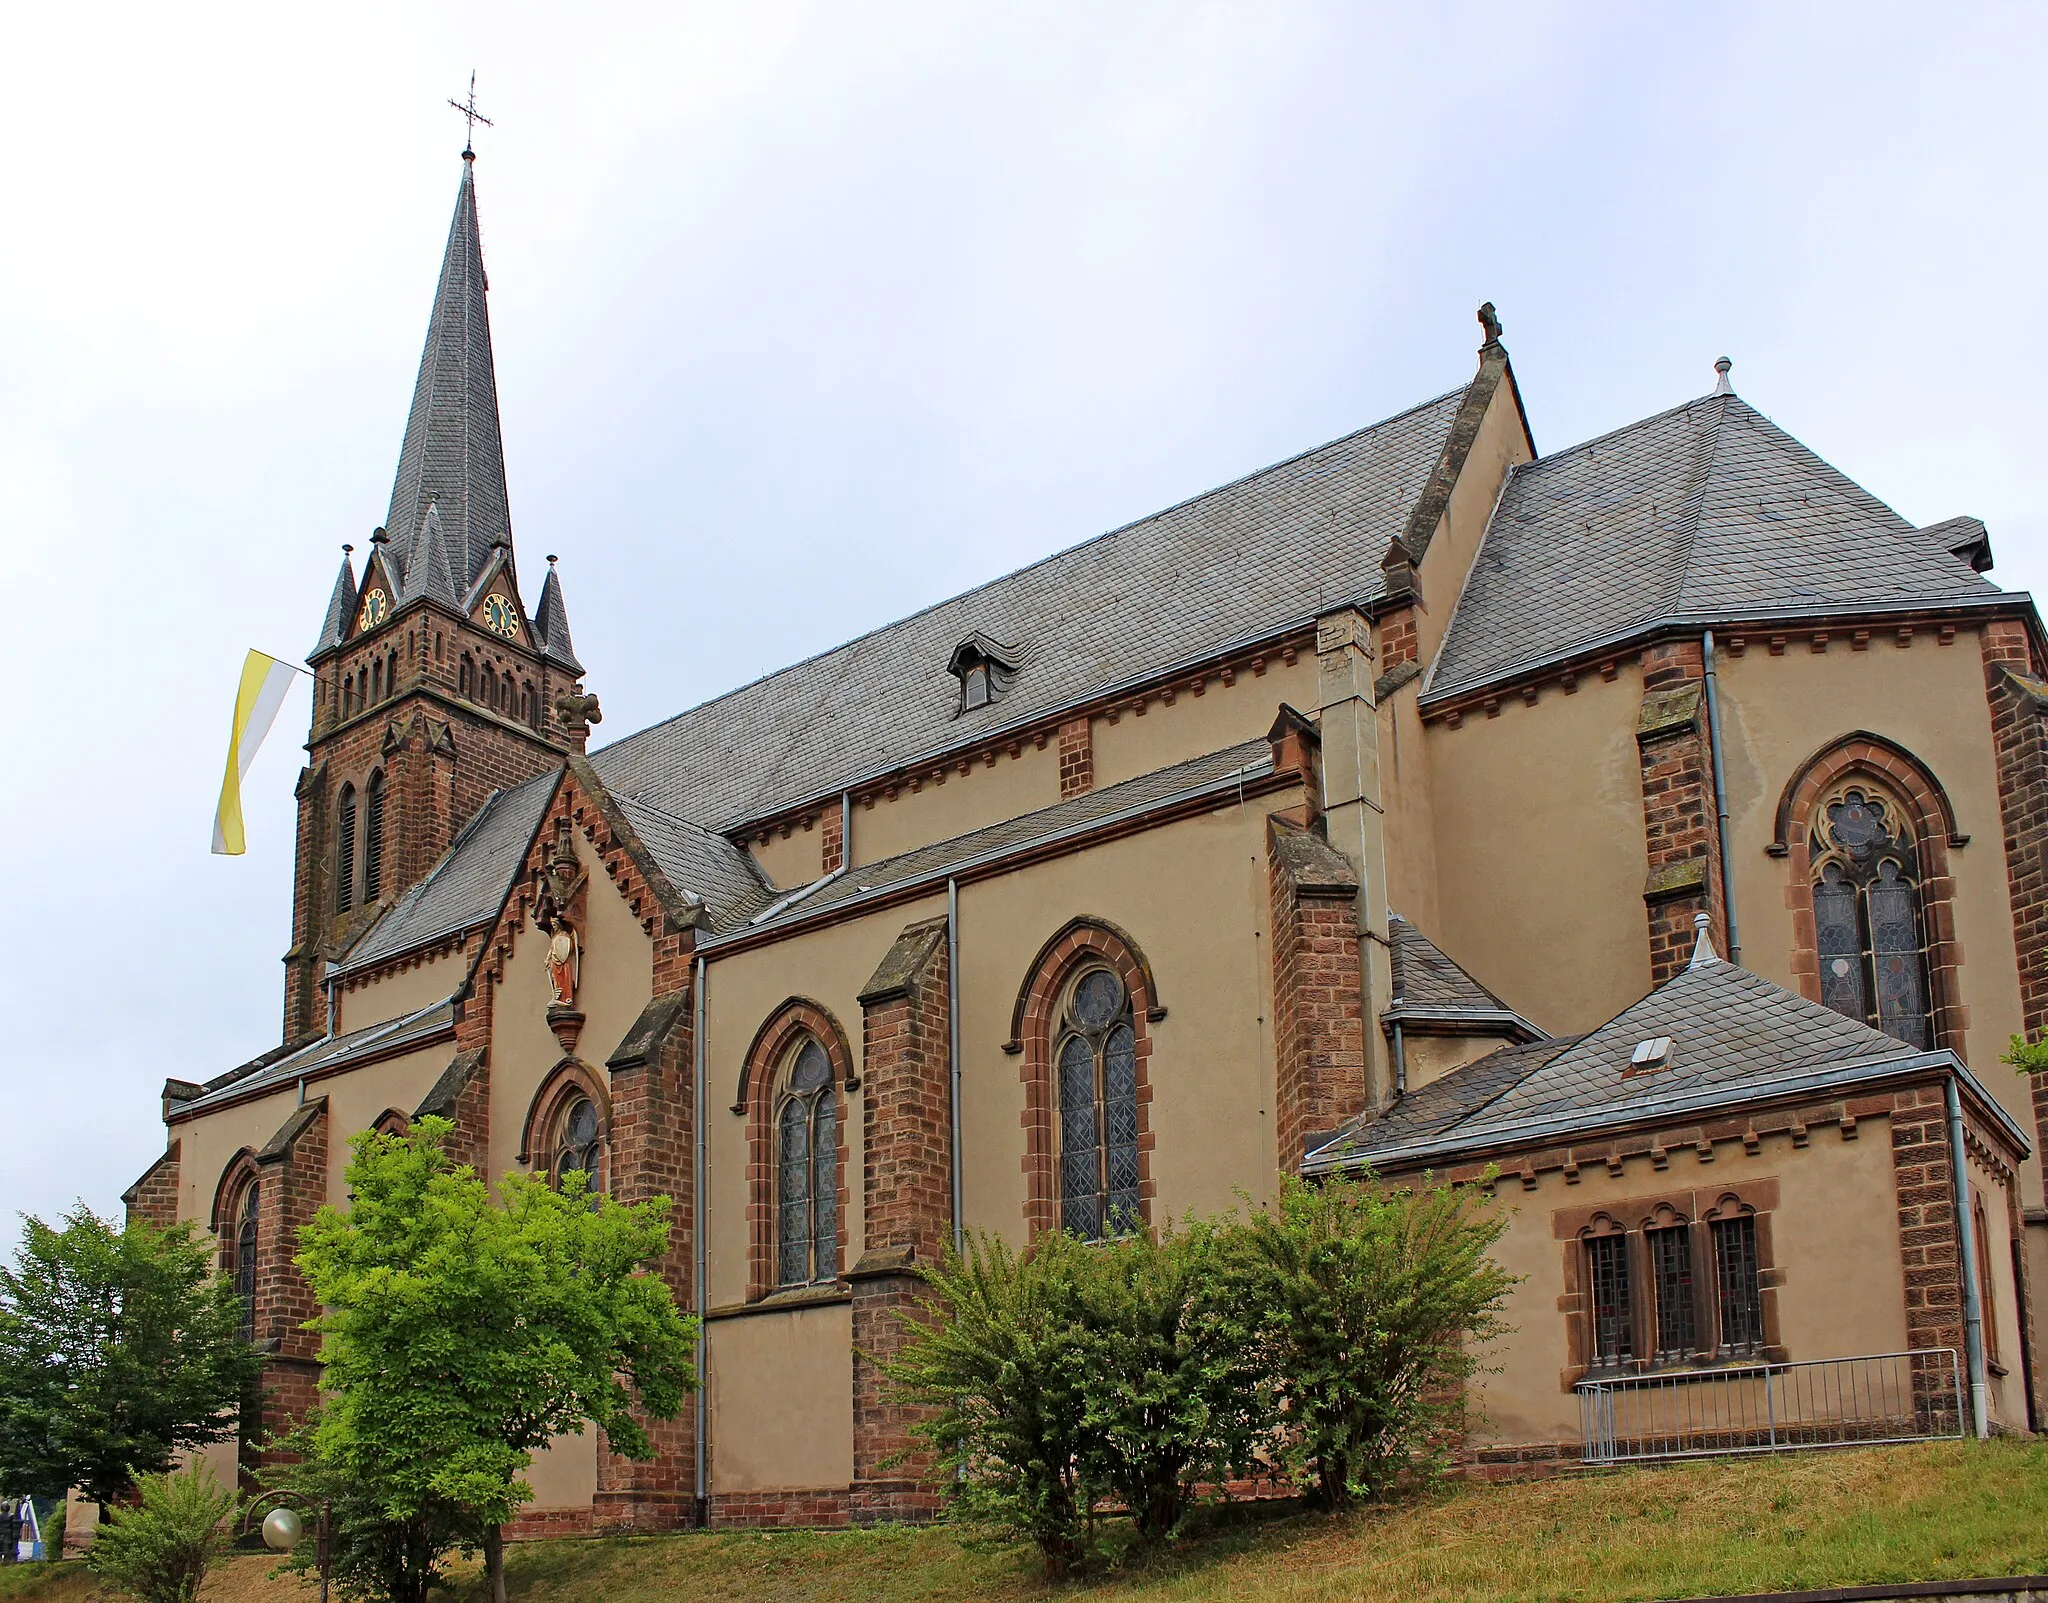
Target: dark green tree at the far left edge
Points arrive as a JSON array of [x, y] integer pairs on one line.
[[120, 1348]]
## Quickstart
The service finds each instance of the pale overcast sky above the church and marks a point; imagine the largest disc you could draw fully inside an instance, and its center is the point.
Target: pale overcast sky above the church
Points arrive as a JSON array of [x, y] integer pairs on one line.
[[808, 316]]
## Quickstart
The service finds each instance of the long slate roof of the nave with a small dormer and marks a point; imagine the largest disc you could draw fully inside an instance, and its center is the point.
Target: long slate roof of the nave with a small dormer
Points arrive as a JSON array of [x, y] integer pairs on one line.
[[1238, 564]]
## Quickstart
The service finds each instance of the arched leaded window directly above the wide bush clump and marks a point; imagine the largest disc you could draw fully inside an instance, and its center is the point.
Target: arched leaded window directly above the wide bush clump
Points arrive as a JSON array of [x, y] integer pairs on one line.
[[1097, 1088]]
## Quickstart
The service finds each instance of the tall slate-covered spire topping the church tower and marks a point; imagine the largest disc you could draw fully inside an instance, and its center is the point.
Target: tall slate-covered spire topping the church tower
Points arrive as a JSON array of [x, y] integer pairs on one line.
[[454, 456]]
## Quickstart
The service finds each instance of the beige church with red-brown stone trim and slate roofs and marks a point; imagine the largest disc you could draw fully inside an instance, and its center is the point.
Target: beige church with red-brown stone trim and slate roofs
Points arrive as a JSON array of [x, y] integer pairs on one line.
[[1652, 828]]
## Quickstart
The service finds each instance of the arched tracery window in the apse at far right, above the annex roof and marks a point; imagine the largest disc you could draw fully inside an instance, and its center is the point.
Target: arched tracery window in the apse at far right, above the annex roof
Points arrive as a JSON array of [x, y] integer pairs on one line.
[[1867, 910]]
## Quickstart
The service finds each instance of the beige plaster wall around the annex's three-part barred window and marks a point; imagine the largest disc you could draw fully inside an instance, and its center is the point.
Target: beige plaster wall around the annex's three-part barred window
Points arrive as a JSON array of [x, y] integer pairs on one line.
[[1836, 1238]]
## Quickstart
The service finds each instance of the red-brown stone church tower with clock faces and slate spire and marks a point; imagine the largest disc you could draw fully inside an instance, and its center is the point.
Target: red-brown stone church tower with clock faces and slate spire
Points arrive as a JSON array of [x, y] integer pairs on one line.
[[435, 685]]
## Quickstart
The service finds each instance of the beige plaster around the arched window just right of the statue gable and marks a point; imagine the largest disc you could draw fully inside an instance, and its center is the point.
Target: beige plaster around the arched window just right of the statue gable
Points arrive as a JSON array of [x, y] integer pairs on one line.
[[830, 967]]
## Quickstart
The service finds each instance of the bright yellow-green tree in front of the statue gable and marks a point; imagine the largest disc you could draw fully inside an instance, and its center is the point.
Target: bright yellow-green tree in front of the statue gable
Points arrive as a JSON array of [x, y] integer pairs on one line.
[[462, 1334]]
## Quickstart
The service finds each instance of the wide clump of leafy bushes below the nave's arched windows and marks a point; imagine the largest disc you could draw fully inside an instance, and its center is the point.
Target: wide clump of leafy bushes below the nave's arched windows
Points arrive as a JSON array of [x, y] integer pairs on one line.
[[1324, 1342]]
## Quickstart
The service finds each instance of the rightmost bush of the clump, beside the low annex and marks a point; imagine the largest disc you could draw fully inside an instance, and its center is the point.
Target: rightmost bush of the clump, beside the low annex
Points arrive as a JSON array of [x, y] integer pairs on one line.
[[1367, 1305]]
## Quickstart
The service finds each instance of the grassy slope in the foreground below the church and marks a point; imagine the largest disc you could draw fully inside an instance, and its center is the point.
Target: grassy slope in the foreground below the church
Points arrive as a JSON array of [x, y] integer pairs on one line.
[[1693, 1530]]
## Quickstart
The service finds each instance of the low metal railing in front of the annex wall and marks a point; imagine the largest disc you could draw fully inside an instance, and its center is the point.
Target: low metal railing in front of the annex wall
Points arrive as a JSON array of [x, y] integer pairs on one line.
[[1773, 1407]]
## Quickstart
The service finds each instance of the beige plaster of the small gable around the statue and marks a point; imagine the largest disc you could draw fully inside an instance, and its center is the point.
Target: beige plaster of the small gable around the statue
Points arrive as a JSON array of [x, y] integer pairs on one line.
[[617, 980]]
